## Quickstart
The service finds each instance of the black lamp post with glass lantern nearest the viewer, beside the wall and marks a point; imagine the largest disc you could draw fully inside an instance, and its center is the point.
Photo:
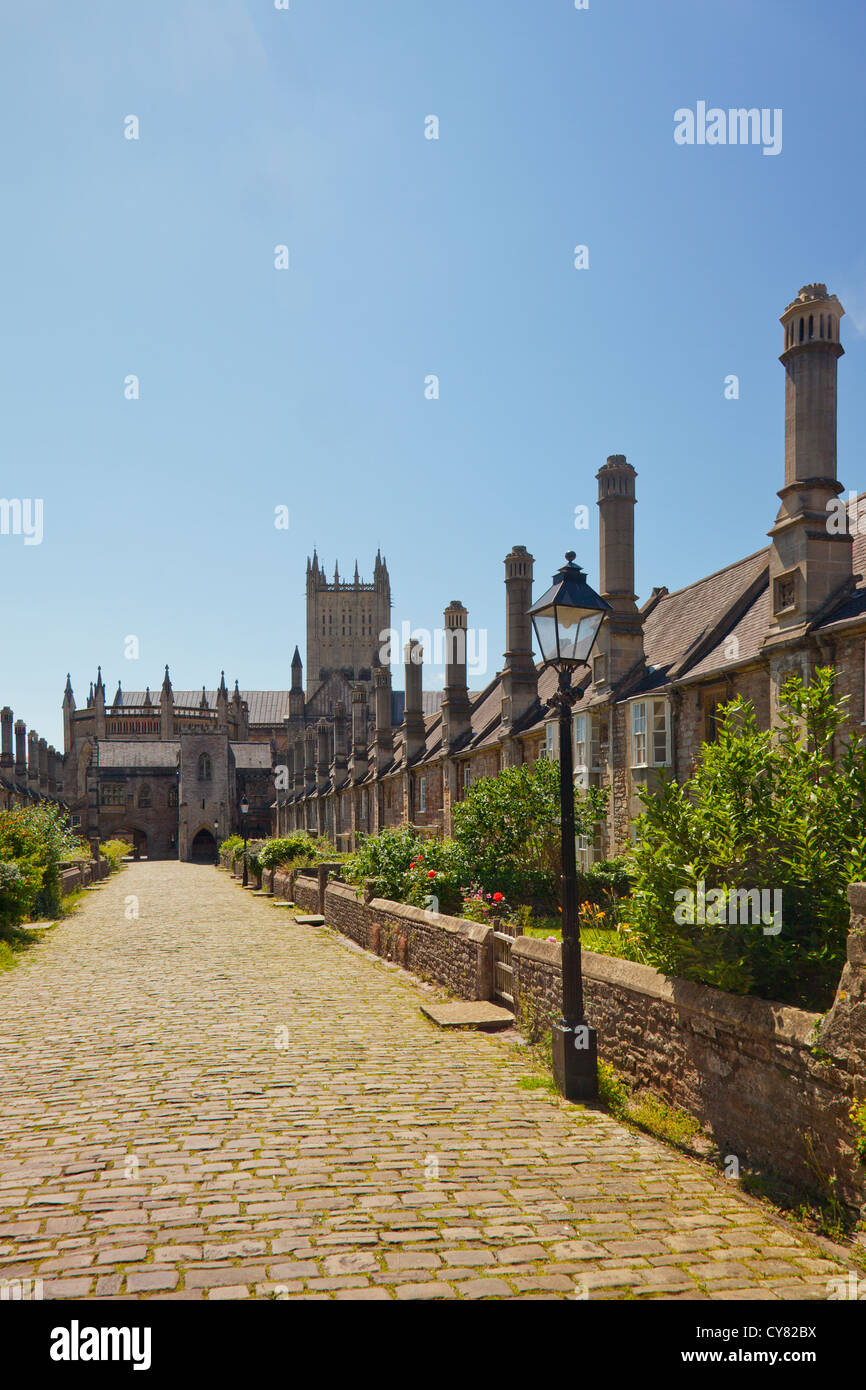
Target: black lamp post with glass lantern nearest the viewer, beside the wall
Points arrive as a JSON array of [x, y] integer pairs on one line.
[[568, 621]]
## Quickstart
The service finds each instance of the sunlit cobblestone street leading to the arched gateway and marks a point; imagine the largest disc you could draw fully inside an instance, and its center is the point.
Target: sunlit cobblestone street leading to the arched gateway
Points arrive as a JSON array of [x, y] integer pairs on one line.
[[216, 1103]]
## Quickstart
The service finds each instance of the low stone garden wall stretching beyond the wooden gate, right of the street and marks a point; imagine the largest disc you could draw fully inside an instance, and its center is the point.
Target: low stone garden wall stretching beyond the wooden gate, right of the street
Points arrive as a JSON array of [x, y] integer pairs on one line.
[[451, 951]]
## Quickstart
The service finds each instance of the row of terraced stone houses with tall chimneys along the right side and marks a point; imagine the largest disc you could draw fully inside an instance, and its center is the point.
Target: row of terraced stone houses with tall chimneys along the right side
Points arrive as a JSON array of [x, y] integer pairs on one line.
[[661, 671]]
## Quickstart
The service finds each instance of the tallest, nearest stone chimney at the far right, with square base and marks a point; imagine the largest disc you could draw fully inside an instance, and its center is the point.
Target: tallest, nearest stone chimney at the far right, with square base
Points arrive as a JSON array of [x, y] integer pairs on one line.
[[811, 554]]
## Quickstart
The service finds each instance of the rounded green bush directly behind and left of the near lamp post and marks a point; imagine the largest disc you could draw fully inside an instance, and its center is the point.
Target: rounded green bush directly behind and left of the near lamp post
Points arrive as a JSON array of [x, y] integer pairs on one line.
[[508, 829]]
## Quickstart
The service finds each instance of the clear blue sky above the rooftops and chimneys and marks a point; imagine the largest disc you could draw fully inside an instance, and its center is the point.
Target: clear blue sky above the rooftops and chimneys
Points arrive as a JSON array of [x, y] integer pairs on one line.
[[408, 258]]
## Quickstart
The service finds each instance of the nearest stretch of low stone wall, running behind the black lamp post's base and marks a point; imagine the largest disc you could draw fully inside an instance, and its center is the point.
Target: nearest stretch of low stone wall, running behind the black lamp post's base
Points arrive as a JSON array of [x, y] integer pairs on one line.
[[771, 1085]]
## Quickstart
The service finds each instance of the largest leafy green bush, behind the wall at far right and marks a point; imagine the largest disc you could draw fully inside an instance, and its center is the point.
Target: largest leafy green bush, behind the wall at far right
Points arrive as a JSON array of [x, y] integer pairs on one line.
[[767, 811]]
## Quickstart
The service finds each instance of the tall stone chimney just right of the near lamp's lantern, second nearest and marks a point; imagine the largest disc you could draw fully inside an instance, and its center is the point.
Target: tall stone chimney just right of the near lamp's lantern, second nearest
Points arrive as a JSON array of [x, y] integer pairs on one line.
[[621, 644]]
